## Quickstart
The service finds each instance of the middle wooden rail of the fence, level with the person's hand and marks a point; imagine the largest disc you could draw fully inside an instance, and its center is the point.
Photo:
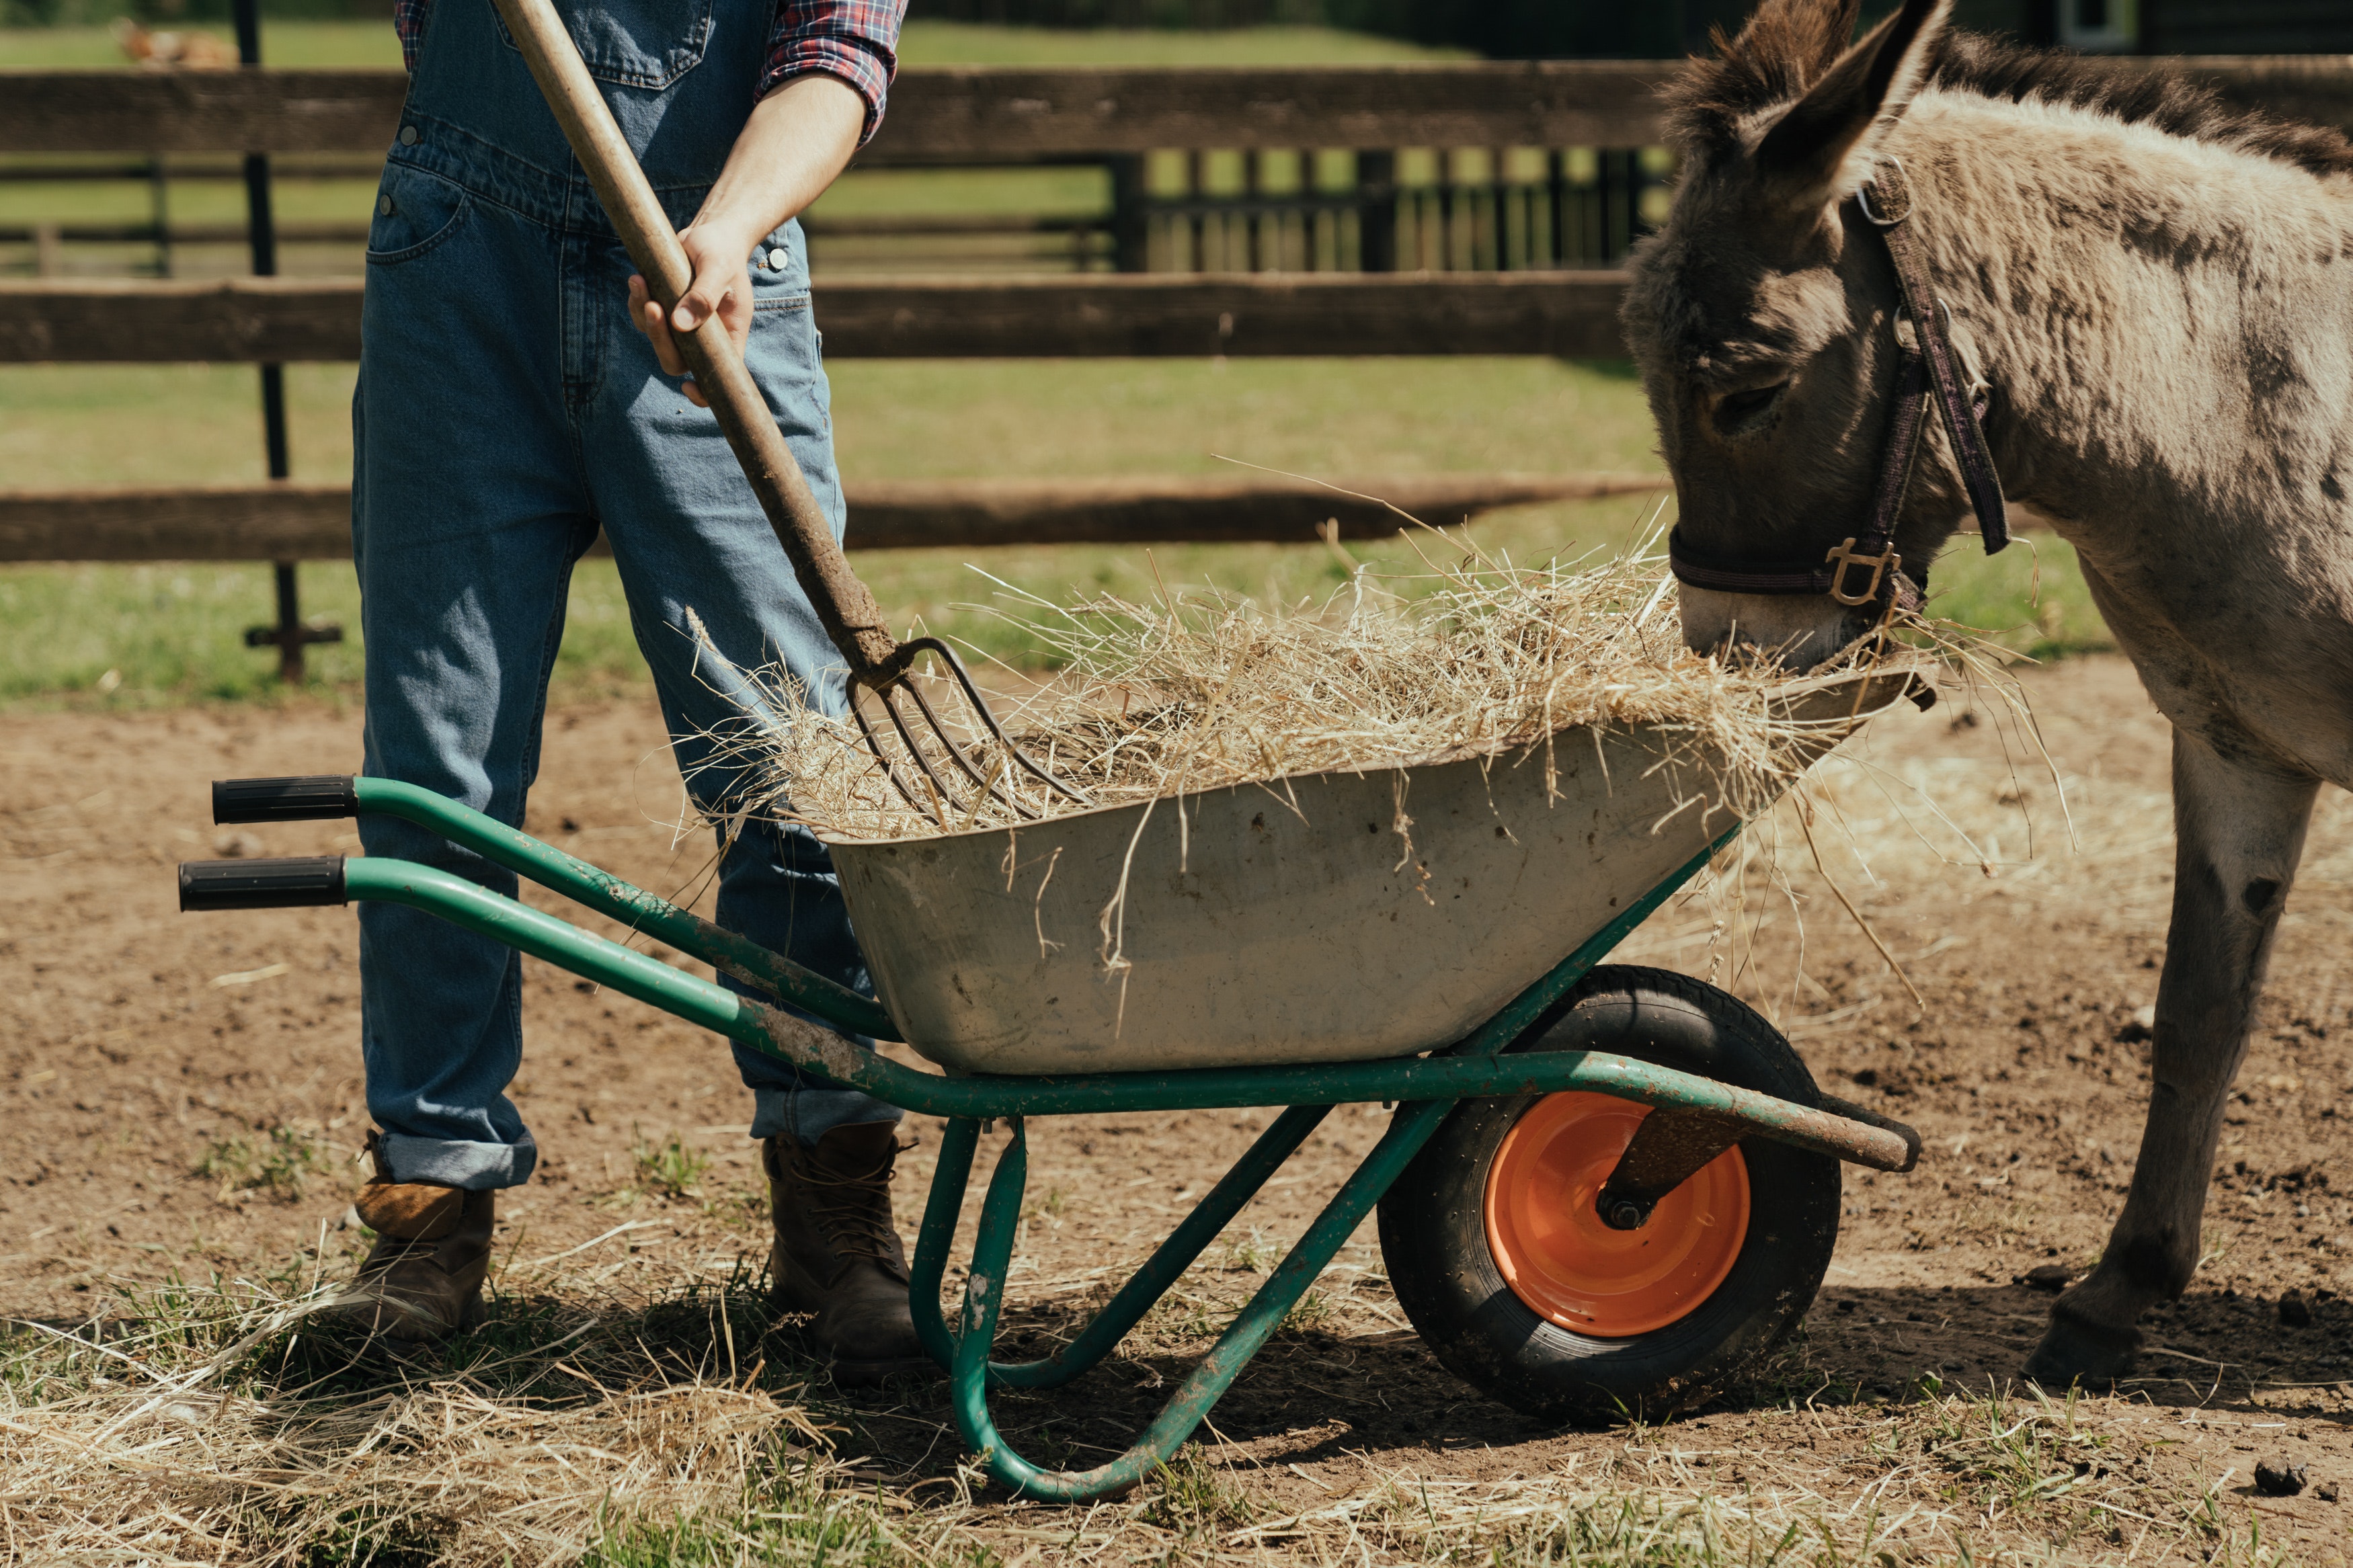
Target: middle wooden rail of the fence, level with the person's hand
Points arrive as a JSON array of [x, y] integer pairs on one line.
[[1159, 314]]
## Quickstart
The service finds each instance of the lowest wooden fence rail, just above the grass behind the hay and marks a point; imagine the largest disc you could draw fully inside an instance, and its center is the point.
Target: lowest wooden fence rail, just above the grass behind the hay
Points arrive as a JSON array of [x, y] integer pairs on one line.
[[244, 523]]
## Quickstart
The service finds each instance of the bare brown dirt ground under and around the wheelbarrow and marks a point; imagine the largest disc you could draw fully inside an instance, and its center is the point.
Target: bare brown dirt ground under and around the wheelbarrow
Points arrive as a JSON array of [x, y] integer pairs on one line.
[[147, 1059]]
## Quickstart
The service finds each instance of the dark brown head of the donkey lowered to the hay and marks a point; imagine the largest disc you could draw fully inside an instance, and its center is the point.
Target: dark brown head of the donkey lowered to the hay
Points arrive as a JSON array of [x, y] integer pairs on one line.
[[1764, 314]]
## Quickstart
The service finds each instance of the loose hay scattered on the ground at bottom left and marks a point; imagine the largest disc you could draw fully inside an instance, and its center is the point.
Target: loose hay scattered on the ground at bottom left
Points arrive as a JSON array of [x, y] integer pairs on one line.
[[213, 1426]]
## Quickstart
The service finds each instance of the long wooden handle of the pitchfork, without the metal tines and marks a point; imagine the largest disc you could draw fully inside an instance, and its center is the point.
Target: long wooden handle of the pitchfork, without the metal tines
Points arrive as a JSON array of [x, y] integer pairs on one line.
[[841, 601]]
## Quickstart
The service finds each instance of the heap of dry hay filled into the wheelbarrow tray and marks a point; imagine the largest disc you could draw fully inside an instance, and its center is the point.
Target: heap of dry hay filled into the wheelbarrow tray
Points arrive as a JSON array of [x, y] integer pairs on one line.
[[1206, 690]]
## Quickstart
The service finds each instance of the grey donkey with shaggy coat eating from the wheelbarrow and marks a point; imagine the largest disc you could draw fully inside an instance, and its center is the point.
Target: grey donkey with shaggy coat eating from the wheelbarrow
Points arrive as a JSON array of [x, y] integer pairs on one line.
[[2164, 300]]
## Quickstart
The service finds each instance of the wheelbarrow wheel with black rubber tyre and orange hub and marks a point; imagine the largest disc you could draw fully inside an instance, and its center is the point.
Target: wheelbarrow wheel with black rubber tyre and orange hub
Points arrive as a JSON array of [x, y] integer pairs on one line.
[[1514, 1282]]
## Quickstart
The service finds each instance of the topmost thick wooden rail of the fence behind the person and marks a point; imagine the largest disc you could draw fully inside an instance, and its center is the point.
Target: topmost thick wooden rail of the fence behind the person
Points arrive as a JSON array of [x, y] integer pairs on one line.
[[975, 114]]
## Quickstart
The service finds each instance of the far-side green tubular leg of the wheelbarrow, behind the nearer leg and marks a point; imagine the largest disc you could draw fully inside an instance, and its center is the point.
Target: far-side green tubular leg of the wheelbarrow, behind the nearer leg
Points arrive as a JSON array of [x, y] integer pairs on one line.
[[1138, 1296]]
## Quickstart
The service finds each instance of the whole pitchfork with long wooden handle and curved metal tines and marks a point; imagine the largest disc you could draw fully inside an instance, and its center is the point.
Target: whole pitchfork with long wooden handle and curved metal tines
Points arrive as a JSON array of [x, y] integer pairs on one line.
[[853, 619]]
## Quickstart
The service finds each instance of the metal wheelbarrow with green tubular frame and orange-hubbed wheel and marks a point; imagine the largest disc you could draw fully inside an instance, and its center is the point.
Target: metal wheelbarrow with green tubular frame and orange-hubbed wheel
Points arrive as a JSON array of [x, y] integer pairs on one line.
[[1601, 1191]]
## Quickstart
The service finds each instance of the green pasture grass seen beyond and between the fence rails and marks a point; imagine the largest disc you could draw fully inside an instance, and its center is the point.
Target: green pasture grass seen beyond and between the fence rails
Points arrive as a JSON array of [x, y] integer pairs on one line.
[[149, 636]]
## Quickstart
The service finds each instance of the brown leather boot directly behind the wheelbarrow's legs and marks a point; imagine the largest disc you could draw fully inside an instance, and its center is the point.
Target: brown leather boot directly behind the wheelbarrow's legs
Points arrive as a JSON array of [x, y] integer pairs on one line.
[[839, 1254]]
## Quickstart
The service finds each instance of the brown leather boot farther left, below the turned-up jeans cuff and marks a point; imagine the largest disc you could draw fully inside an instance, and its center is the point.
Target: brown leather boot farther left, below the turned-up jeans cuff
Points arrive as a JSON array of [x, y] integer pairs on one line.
[[425, 1275]]
